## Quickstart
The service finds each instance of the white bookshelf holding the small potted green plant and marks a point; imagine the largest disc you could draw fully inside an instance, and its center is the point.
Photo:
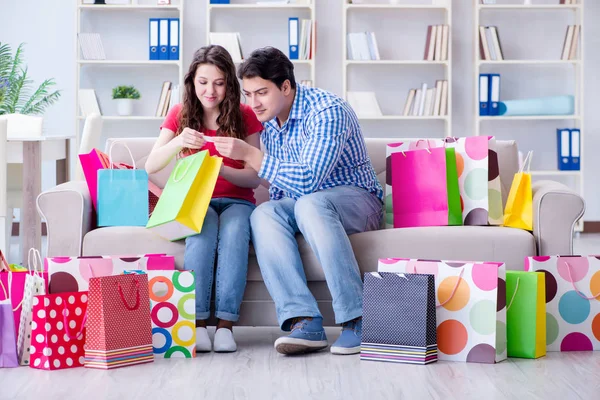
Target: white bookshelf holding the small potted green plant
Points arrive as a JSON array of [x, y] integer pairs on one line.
[[98, 19]]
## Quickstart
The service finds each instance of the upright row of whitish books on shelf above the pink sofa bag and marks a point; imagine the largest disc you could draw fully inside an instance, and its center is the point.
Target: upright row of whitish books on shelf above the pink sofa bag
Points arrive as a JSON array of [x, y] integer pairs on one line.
[[427, 101]]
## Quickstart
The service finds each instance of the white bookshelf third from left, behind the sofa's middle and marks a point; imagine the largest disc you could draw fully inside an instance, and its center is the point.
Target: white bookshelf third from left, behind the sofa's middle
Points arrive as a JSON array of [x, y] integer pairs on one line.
[[371, 12]]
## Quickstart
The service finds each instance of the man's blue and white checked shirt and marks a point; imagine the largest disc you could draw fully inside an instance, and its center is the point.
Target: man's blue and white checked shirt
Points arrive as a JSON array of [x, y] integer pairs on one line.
[[320, 146]]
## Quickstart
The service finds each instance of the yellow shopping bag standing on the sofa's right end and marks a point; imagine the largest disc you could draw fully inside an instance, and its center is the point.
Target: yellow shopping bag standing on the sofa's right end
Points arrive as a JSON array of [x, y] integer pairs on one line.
[[518, 212]]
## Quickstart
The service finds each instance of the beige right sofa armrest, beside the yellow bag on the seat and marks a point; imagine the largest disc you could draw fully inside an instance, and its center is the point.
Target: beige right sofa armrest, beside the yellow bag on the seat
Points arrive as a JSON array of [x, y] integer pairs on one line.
[[556, 210]]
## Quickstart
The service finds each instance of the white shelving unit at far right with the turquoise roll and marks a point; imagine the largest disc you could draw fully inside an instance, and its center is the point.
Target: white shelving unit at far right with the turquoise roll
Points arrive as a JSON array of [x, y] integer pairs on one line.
[[575, 121]]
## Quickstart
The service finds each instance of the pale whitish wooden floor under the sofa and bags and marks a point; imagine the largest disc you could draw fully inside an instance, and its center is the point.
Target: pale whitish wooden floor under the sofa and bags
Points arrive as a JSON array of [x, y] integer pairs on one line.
[[256, 371]]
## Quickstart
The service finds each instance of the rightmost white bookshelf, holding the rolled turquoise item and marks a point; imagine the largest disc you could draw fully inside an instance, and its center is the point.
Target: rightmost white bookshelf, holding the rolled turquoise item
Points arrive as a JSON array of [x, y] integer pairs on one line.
[[575, 67]]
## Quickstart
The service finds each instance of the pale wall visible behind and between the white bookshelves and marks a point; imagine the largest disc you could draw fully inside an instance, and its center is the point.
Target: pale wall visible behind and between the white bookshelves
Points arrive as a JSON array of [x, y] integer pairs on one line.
[[39, 22]]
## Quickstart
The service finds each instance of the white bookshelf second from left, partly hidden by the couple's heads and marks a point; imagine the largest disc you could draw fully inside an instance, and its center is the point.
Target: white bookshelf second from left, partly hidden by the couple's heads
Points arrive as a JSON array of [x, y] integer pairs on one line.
[[241, 11]]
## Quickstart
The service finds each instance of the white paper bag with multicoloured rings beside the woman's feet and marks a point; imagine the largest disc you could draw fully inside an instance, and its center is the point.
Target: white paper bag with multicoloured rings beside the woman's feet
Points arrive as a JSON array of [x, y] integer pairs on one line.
[[173, 304]]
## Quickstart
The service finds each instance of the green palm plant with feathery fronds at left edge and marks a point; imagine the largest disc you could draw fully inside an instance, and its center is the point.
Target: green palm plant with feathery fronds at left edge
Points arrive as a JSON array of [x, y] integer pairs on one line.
[[16, 92]]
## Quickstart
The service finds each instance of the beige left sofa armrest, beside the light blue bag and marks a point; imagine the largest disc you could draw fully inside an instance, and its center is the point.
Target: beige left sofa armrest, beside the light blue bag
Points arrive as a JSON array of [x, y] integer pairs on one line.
[[68, 212]]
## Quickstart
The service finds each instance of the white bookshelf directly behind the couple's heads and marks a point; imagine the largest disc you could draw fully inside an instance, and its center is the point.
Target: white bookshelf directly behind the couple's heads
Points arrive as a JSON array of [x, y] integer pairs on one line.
[[308, 6]]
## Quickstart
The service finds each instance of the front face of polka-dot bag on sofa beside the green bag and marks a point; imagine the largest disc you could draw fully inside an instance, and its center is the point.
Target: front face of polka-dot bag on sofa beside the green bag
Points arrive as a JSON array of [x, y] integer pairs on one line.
[[472, 169]]
